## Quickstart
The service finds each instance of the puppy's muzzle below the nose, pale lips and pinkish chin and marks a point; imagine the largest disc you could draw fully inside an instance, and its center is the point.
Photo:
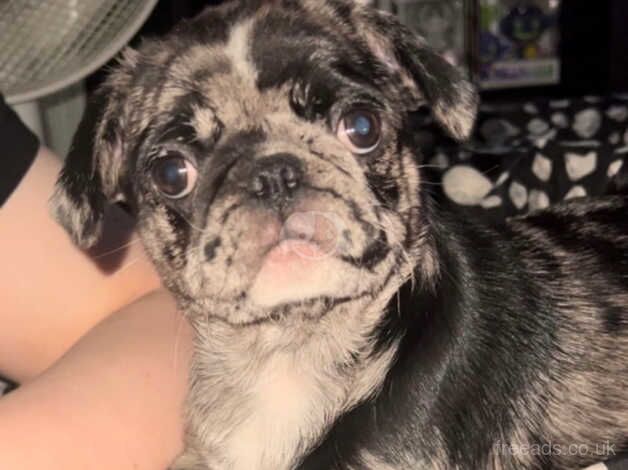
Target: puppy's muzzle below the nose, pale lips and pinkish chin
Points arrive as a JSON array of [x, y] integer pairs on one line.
[[269, 260]]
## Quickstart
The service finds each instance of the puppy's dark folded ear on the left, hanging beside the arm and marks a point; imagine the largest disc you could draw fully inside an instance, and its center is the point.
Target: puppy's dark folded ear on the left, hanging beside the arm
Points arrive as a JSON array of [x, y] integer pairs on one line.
[[89, 178]]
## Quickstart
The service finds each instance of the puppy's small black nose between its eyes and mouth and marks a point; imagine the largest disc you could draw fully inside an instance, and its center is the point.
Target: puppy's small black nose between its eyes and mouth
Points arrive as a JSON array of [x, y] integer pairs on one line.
[[275, 178]]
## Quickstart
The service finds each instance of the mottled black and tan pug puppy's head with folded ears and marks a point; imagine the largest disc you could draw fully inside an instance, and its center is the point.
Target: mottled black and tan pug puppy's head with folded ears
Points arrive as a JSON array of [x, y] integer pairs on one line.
[[267, 151]]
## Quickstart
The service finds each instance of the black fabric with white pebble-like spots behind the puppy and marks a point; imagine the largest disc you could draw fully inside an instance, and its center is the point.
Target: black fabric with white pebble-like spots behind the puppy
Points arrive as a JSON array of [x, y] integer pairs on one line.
[[526, 157]]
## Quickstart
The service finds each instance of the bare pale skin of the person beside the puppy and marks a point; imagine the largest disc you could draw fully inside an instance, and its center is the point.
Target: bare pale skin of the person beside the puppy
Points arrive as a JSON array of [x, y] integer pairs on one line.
[[102, 353]]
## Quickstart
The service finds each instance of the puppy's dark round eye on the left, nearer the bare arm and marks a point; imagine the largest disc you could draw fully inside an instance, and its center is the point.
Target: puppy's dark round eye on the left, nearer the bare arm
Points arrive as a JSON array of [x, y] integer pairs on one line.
[[174, 175]]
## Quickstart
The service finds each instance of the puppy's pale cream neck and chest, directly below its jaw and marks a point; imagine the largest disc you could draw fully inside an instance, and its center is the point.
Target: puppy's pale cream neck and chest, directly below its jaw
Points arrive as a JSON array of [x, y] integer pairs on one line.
[[277, 386]]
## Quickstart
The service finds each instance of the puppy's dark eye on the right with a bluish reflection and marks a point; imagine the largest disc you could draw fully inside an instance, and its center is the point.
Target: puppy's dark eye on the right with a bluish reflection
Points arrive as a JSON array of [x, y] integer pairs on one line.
[[360, 130]]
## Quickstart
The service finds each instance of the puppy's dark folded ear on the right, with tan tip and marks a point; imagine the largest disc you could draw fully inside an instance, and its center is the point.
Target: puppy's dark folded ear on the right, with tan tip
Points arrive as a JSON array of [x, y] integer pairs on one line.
[[428, 77]]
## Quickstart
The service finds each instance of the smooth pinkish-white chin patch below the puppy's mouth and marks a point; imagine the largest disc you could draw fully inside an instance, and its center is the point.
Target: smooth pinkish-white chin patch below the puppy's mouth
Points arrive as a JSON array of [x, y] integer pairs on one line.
[[295, 271]]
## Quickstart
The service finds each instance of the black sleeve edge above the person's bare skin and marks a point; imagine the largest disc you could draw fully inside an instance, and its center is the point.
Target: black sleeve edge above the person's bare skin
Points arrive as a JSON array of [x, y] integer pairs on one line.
[[18, 148]]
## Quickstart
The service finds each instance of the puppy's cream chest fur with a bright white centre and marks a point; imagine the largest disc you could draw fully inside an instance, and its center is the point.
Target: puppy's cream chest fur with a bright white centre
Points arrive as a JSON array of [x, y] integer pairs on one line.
[[254, 405]]
